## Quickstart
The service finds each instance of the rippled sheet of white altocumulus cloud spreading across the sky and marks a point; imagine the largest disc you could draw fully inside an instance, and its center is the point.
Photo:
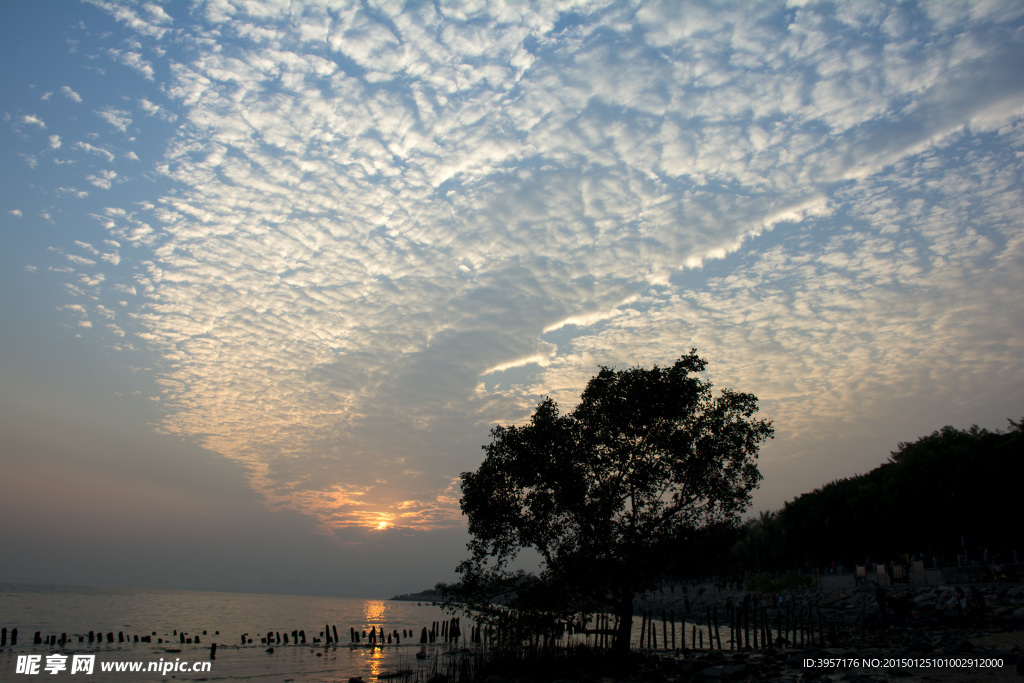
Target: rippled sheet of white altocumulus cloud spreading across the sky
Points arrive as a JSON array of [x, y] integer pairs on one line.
[[394, 226]]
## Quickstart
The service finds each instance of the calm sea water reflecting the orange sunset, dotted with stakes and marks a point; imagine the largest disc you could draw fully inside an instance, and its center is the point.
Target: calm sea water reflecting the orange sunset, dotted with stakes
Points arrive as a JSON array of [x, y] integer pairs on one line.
[[76, 611]]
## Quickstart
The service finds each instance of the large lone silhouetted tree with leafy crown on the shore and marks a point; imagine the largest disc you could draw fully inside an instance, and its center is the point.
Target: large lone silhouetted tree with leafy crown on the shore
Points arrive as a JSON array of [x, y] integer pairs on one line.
[[636, 477]]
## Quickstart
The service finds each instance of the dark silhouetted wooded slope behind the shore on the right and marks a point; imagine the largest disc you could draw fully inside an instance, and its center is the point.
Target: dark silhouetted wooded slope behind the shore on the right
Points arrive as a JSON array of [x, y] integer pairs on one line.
[[953, 493]]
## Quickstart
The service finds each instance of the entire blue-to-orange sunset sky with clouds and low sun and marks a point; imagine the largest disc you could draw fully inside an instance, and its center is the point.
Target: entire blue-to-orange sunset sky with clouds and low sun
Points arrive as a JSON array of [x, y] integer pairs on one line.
[[272, 271]]
